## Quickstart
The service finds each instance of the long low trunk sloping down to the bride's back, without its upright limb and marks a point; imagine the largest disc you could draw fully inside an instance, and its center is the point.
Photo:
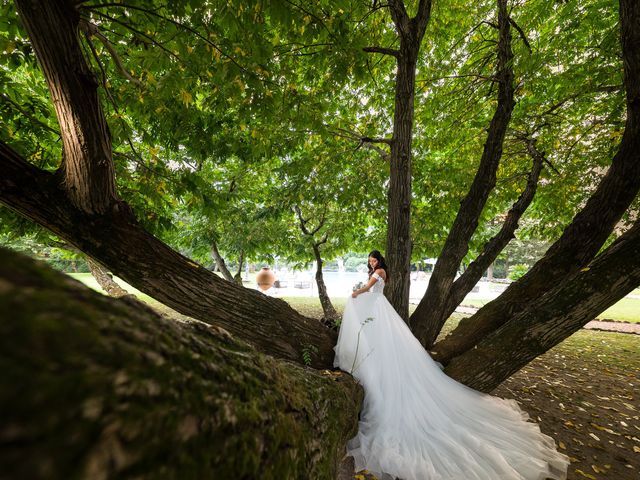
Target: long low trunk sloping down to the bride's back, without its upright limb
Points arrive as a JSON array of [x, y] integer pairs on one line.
[[152, 267]]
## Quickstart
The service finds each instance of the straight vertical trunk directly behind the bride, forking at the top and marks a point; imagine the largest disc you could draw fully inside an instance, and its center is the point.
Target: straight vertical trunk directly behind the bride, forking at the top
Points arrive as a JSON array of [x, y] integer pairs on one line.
[[399, 245]]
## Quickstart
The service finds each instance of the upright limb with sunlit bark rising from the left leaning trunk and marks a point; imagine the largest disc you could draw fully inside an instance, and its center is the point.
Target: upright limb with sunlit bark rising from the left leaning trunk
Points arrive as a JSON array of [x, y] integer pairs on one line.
[[87, 166]]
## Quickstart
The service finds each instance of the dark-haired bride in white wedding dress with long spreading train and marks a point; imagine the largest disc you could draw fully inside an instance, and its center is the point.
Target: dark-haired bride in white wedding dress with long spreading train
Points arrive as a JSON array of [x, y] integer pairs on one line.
[[416, 422]]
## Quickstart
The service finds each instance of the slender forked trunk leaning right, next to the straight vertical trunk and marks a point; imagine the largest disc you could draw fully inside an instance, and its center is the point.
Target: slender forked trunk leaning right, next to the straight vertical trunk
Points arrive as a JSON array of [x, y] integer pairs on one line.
[[435, 307]]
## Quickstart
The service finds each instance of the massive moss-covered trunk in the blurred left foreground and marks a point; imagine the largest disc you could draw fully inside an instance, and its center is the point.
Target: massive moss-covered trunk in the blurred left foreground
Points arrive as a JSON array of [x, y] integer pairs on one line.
[[101, 388]]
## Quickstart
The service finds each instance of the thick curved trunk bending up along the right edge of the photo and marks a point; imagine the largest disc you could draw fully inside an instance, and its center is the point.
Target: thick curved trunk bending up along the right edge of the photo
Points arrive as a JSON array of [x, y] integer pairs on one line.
[[590, 228]]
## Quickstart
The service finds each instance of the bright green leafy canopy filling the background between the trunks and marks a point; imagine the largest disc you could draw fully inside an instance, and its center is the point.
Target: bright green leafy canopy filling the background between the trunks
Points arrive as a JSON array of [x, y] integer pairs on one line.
[[233, 113]]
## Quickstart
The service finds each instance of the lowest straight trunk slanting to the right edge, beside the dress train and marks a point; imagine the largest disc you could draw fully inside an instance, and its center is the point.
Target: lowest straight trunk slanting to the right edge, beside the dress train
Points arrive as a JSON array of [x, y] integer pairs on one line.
[[553, 317]]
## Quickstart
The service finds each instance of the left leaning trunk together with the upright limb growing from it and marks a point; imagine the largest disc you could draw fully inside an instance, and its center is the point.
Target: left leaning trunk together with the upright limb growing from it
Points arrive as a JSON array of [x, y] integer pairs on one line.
[[83, 209]]
